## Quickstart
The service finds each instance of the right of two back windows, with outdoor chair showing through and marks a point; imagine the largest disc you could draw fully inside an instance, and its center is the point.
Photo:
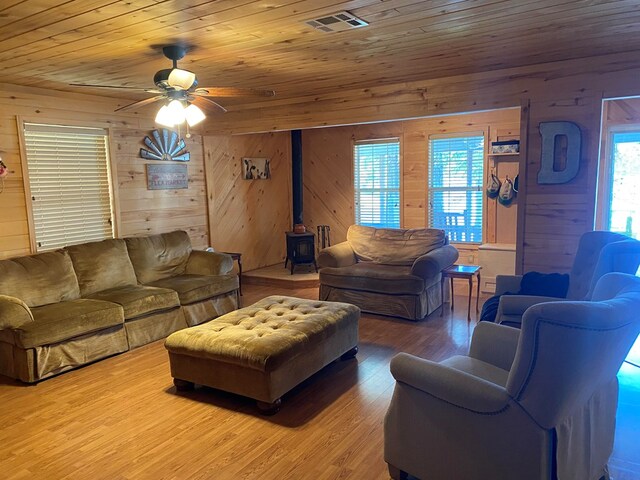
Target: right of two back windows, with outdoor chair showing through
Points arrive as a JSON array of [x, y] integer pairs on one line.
[[455, 190]]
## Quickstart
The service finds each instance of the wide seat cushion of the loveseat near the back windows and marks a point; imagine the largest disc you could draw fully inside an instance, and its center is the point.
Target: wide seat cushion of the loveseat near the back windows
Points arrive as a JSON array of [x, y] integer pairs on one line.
[[373, 277]]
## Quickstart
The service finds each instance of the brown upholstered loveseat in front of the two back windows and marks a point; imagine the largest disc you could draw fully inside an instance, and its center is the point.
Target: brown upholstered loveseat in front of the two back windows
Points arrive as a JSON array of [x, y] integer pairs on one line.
[[387, 271]]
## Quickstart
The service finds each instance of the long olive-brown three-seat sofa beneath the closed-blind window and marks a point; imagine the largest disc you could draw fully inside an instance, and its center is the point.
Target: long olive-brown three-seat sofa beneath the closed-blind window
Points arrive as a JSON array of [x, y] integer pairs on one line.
[[66, 308]]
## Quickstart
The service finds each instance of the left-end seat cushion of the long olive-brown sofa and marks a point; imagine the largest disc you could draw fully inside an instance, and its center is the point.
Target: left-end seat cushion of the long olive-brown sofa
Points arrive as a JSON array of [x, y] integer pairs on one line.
[[64, 320]]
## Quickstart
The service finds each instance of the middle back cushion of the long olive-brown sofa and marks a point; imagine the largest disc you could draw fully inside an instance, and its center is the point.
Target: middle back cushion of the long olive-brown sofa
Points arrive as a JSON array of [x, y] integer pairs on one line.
[[102, 265]]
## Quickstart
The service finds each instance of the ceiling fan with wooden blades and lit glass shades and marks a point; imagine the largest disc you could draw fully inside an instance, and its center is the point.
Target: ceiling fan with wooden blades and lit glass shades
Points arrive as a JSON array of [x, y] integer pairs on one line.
[[179, 91]]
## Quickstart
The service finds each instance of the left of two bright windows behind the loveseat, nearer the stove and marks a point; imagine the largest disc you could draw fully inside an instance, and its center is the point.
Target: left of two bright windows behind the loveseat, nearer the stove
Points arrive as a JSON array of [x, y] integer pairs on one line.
[[377, 183]]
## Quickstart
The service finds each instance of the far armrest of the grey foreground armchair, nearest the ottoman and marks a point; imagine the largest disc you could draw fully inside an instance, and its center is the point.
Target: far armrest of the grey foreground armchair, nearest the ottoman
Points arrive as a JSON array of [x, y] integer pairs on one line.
[[494, 344]]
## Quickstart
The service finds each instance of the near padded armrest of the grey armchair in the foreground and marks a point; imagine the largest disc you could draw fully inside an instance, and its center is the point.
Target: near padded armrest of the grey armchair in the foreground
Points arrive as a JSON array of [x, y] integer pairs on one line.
[[448, 384]]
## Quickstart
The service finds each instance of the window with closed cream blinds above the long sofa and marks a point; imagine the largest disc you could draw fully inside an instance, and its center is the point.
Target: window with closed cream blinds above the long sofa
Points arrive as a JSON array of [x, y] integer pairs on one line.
[[69, 182]]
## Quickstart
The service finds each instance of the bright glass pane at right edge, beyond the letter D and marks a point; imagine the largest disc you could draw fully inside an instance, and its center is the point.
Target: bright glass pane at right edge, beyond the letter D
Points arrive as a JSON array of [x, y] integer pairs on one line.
[[624, 199]]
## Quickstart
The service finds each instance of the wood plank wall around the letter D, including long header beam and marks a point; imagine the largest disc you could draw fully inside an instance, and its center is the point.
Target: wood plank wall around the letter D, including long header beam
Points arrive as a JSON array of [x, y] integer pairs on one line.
[[554, 217]]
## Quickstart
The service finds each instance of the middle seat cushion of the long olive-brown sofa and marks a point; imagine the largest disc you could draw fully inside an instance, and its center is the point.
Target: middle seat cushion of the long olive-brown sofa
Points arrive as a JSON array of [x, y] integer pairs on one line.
[[139, 300]]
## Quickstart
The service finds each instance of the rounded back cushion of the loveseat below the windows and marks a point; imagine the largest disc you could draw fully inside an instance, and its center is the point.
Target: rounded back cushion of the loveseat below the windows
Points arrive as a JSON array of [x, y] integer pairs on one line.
[[393, 246]]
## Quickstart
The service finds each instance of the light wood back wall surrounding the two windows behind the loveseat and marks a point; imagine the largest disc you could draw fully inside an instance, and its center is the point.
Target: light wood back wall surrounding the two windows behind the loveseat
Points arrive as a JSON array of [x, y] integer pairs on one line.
[[328, 170]]
